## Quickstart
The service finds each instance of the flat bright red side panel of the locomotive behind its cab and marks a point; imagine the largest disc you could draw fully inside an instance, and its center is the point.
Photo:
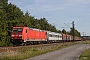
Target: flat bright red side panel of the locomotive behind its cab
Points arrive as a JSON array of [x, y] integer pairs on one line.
[[35, 35]]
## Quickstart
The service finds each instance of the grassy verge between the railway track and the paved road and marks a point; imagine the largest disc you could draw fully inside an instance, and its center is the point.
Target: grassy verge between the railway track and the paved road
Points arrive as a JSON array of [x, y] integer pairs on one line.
[[27, 52]]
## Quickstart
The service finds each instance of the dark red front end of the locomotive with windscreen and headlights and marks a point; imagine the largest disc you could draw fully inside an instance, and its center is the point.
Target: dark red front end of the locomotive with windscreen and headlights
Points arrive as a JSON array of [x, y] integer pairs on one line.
[[16, 35]]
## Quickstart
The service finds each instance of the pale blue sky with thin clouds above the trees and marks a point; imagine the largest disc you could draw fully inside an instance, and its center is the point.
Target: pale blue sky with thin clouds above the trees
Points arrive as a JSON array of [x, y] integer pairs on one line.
[[60, 13]]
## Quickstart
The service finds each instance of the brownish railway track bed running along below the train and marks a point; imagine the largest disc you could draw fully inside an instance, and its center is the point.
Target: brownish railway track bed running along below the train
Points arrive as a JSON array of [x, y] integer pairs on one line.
[[16, 48]]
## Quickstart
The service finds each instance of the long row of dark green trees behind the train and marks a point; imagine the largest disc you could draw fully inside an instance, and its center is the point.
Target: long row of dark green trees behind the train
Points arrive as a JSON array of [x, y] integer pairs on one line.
[[11, 15]]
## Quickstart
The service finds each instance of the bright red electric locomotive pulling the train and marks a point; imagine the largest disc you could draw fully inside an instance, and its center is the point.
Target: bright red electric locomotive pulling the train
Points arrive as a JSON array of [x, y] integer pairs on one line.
[[24, 34]]
